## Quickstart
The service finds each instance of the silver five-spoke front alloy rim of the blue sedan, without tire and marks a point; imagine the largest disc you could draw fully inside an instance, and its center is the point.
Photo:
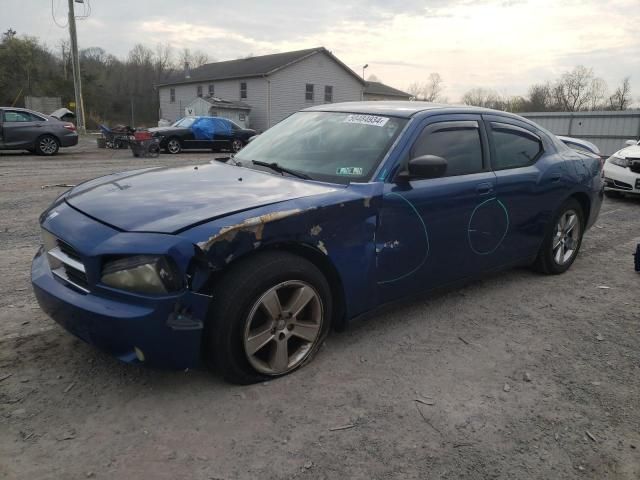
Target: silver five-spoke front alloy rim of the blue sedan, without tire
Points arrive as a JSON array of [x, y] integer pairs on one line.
[[283, 326]]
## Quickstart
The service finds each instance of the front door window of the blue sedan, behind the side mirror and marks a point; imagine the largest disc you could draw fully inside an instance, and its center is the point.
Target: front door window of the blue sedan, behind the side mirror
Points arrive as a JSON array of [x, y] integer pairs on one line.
[[457, 142]]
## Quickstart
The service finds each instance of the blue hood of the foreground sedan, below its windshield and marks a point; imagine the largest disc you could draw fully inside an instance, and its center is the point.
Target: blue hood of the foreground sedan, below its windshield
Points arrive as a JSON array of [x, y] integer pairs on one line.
[[167, 200]]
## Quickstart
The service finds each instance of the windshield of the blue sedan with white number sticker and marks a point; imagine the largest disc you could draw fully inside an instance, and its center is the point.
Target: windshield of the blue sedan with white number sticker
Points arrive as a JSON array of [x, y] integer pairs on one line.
[[326, 146]]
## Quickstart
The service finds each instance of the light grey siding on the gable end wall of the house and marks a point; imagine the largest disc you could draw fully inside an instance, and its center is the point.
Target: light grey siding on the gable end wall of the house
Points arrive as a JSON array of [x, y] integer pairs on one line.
[[288, 85]]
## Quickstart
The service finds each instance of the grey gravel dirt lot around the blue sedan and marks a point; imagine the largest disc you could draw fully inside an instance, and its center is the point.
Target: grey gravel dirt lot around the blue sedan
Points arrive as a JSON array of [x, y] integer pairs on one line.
[[517, 376]]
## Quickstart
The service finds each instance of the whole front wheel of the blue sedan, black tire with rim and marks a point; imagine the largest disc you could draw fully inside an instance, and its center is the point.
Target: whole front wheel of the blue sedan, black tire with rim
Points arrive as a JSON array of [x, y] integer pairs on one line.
[[239, 313]]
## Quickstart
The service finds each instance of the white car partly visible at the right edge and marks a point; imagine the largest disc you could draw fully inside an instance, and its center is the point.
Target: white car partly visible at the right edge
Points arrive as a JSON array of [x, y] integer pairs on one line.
[[622, 170]]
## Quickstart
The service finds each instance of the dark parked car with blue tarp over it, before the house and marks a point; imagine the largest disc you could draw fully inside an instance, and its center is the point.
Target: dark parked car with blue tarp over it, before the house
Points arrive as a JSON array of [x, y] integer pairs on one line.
[[214, 133]]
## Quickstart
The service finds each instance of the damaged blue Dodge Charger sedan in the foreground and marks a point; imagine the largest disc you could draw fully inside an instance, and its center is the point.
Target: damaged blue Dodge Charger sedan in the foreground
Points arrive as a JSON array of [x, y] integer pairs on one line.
[[332, 213]]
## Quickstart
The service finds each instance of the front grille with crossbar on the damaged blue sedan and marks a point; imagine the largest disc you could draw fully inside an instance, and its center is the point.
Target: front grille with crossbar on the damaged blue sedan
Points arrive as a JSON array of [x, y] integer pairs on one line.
[[65, 262]]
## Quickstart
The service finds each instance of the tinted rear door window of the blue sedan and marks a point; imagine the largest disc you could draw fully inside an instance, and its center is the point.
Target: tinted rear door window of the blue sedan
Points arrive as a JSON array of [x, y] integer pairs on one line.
[[514, 146]]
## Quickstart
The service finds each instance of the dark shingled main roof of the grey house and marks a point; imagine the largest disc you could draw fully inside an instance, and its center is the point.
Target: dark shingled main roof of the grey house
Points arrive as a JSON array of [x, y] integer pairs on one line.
[[249, 67]]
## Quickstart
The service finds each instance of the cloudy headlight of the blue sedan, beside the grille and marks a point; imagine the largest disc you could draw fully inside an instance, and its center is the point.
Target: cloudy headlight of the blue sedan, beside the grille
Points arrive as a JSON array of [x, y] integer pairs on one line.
[[142, 274]]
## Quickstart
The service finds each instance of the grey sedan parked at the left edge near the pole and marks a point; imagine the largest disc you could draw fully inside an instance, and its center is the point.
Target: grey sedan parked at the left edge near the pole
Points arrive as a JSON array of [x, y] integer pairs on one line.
[[22, 129]]
